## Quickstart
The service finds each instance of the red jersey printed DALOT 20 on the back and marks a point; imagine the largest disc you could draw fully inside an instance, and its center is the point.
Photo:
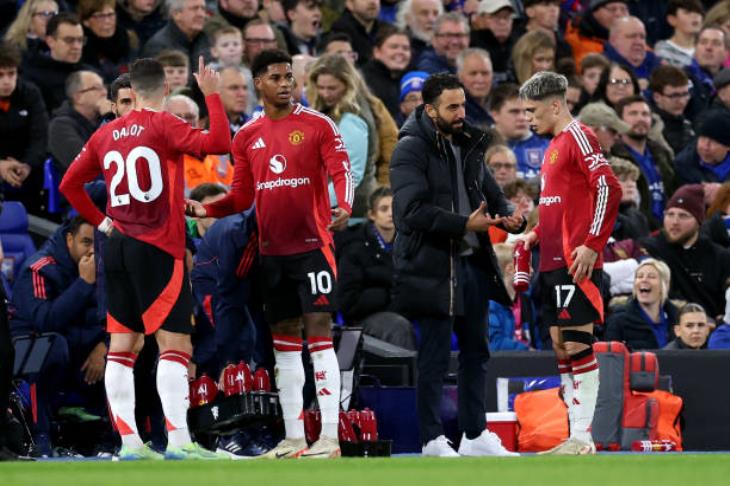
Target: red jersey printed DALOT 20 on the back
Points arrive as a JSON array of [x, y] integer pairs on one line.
[[141, 158]]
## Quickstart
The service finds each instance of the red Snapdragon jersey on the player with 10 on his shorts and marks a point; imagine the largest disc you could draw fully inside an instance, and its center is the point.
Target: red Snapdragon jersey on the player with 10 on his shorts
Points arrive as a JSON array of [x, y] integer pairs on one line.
[[283, 166]]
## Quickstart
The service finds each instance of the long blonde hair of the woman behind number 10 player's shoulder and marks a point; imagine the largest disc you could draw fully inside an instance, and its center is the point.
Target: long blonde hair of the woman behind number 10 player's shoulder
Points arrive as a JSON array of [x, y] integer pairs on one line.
[[338, 67]]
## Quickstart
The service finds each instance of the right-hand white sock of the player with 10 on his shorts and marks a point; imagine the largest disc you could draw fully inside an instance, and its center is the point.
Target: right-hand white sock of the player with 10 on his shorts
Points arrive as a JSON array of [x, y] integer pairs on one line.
[[327, 382]]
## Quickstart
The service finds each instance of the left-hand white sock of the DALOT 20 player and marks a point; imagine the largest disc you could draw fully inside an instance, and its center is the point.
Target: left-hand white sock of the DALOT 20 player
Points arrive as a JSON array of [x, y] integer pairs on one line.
[[119, 383]]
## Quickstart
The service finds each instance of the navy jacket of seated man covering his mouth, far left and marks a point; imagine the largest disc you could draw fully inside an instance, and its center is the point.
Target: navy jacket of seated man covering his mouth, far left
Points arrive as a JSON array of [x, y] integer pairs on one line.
[[49, 296]]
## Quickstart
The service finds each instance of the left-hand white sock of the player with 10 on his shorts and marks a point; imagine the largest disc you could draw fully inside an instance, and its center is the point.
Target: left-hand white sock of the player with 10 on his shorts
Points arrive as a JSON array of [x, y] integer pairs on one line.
[[290, 381]]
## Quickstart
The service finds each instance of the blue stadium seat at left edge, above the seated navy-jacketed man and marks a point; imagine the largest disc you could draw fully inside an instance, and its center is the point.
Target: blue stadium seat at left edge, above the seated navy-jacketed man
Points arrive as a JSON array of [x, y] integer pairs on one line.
[[17, 243]]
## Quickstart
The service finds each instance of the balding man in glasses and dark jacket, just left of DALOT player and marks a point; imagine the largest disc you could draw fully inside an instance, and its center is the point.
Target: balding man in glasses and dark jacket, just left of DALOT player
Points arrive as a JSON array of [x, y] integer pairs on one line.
[[77, 118]]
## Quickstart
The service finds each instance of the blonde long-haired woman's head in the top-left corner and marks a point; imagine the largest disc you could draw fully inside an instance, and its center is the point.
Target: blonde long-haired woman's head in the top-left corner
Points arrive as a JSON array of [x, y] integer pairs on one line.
[[29, 26]]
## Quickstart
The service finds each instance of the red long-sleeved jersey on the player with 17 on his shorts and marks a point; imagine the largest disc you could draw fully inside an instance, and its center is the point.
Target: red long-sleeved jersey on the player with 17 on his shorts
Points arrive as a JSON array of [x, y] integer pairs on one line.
[[579, 198]]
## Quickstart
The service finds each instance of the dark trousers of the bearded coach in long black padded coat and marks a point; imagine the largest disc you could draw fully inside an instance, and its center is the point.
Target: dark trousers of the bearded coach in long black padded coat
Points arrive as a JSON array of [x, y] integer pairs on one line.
[[435, 350]]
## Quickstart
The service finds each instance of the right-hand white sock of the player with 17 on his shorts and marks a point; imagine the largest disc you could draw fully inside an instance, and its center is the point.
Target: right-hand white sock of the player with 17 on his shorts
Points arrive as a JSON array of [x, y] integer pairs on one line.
[[585, 393]]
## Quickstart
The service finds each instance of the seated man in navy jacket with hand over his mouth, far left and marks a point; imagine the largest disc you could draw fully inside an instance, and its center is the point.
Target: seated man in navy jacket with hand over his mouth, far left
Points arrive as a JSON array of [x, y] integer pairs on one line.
[[55, 292]]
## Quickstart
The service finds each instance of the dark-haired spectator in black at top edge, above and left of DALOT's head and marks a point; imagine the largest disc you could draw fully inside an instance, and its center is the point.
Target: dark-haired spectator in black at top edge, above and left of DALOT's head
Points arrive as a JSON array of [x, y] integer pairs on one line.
[[108, 47]]
